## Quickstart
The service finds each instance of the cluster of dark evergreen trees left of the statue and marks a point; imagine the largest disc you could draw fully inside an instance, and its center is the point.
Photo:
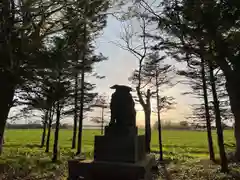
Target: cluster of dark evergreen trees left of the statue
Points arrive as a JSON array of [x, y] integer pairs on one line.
[[47, 52]]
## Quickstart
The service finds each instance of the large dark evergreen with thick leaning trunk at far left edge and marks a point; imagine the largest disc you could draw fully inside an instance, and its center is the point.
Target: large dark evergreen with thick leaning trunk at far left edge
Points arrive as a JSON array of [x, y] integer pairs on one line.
[[24, 26]]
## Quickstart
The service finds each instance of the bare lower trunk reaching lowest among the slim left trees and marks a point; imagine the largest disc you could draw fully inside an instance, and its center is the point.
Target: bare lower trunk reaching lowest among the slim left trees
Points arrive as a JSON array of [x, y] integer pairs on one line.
[[55, 145]]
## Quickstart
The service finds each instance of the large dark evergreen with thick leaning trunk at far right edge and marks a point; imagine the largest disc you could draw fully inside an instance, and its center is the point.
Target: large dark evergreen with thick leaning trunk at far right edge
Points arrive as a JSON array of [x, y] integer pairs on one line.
[[205, 28]]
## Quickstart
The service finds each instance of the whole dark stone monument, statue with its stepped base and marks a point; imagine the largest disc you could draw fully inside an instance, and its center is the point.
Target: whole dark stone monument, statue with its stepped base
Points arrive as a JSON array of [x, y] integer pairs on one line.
[[120, 153]]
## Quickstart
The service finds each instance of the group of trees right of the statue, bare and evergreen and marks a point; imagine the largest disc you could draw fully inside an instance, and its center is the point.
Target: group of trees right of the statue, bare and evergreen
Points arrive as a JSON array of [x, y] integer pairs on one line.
[[205, 36]]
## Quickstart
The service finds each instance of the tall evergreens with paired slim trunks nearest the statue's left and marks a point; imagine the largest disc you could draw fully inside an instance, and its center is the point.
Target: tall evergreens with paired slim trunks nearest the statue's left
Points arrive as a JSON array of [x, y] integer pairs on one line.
[[85, 20]]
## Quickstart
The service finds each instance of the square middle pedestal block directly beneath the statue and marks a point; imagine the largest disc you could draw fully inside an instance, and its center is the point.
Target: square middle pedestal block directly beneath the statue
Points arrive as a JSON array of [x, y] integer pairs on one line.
[[126, 149]]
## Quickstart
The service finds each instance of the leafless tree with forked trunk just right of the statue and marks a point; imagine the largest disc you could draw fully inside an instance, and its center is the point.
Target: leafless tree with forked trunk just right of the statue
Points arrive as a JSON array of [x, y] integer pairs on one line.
[[139, 51]]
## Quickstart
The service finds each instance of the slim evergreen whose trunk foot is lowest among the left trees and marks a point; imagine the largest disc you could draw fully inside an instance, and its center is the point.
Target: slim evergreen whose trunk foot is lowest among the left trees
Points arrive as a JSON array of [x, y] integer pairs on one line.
[[61, 86]]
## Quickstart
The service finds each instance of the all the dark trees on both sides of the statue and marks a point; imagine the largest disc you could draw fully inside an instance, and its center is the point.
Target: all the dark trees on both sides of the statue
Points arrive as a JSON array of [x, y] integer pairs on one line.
[[47, 50]]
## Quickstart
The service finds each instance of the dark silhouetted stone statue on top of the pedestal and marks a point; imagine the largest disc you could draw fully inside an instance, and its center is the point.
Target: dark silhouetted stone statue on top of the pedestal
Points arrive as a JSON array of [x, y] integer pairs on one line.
[[123, 113]]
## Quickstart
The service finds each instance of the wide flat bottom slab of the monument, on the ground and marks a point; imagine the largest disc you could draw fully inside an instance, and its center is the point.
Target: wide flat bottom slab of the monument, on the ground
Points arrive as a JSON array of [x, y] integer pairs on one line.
[[103, 170]]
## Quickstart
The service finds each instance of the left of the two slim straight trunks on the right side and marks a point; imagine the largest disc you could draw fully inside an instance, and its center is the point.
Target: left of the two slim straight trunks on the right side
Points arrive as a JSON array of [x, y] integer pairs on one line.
[[207, 114]]
